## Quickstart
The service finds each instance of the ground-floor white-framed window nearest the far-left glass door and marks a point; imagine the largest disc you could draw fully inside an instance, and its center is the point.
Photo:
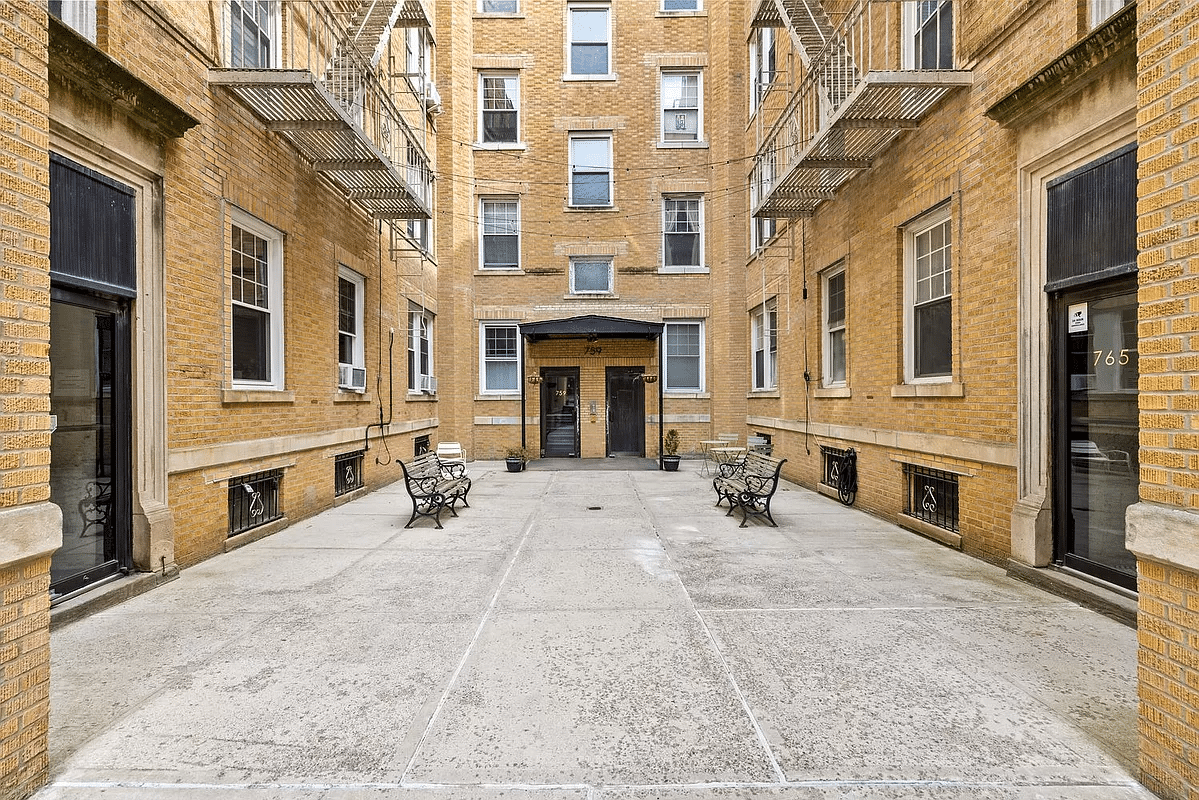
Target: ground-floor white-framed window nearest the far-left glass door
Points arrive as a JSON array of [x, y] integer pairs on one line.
[[256, 256]]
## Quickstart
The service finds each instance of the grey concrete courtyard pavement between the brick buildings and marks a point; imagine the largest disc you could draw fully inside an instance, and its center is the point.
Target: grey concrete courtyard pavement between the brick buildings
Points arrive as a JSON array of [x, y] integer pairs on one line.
[[598, 635]]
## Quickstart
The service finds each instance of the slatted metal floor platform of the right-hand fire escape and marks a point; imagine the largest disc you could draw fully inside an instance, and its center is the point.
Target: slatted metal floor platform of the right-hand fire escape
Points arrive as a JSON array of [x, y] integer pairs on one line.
[[883, 106]]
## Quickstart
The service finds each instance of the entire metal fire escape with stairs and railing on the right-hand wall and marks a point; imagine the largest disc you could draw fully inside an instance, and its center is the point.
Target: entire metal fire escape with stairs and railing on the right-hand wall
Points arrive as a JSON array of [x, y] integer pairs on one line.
[[857, 92]]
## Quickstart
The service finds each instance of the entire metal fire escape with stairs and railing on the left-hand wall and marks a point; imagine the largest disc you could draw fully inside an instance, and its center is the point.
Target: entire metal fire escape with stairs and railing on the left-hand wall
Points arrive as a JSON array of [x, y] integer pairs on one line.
[[318, 74]]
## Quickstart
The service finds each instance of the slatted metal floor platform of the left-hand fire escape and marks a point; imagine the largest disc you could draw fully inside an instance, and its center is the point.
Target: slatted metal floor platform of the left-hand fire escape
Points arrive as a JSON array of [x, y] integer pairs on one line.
[[298, 107]]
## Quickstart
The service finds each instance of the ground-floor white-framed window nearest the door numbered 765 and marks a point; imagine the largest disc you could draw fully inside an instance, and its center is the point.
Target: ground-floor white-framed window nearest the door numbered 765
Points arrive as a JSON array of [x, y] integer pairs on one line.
[[929, 288]]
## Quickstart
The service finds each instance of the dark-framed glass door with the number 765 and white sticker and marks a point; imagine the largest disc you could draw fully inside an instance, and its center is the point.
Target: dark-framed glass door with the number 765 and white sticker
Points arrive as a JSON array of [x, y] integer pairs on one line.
[[1098, 435]]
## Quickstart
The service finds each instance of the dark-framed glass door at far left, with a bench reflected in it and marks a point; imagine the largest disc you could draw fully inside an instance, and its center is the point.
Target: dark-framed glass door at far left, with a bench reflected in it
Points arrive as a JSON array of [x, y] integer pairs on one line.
[[91, 446]]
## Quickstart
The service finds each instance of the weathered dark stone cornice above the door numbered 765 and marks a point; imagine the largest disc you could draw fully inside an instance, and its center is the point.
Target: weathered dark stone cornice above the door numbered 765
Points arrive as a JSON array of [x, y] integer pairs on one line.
[[1071, 71]]
